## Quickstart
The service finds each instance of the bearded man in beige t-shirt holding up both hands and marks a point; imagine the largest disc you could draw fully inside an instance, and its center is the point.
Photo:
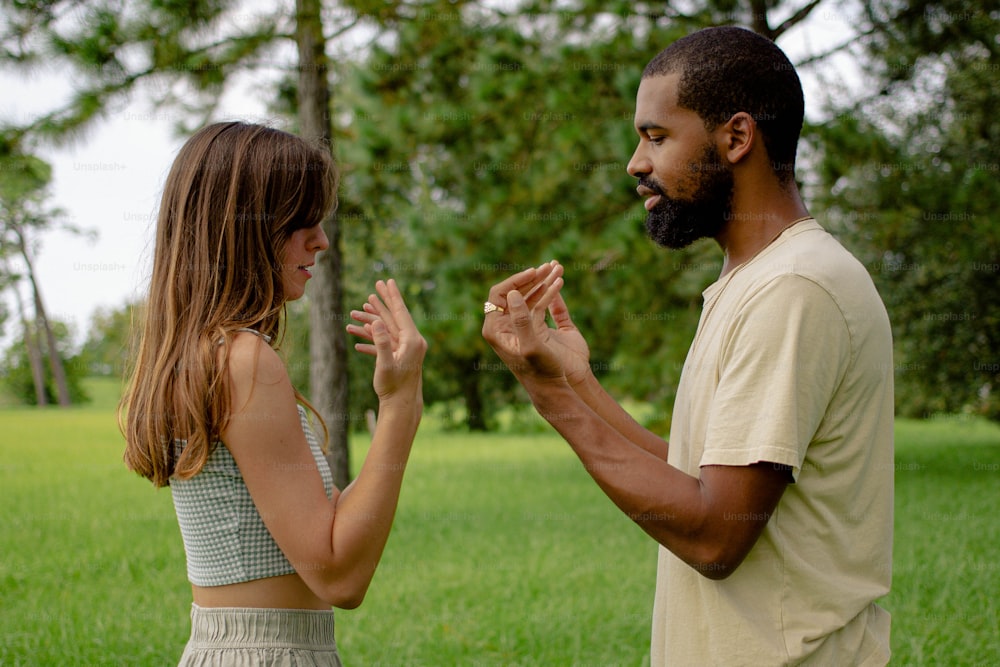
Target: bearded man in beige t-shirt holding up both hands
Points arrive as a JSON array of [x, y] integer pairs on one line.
[[772, 500]]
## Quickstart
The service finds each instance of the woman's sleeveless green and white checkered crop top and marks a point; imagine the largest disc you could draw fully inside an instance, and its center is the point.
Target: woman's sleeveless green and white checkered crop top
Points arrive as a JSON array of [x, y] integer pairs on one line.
[[225, 539]]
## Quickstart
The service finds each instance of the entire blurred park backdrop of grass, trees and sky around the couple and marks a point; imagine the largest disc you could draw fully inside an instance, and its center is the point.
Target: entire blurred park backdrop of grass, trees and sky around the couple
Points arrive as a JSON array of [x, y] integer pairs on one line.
[[474, 140]]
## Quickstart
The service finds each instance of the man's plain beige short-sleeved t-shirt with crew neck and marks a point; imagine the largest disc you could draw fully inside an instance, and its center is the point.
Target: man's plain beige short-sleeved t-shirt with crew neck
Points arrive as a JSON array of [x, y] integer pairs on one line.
[[791, 364]]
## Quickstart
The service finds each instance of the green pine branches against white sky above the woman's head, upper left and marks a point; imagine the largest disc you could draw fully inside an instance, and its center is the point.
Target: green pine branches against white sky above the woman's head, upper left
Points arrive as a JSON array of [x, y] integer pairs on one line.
[[113, 47]]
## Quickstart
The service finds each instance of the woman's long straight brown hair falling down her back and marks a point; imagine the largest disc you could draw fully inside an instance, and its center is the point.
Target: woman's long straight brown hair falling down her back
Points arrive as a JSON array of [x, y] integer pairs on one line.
[[234, 195]]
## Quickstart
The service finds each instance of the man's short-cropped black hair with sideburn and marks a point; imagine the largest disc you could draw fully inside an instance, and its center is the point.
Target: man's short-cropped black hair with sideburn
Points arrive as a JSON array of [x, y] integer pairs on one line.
[[726, 70]]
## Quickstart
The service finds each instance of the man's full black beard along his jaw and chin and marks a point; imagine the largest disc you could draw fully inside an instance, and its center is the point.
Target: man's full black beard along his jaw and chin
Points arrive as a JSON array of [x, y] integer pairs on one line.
[[677, 223]]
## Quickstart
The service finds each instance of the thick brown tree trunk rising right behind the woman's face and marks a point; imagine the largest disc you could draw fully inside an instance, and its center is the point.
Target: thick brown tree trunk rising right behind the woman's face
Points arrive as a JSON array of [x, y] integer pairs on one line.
[[328, 382]]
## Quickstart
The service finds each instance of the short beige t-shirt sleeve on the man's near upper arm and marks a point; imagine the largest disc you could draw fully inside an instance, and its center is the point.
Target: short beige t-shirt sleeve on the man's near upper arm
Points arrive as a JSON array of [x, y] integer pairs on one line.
[[784, 354]]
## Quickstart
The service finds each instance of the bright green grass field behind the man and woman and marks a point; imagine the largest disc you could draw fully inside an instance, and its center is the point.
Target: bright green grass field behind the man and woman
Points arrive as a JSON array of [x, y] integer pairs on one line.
[[504, 552]]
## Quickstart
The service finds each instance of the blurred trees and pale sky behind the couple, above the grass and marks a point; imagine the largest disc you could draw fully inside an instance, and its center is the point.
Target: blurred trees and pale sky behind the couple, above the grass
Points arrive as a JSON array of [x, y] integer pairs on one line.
[[475, 139]]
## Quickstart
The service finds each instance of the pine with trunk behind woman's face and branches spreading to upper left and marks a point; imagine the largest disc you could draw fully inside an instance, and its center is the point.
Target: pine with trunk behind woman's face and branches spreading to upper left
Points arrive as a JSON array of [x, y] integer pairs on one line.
[[115, 49]]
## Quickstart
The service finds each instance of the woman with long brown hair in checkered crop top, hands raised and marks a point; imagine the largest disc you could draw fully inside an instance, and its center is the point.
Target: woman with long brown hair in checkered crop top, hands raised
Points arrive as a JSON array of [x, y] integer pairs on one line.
[[210, 409]]
